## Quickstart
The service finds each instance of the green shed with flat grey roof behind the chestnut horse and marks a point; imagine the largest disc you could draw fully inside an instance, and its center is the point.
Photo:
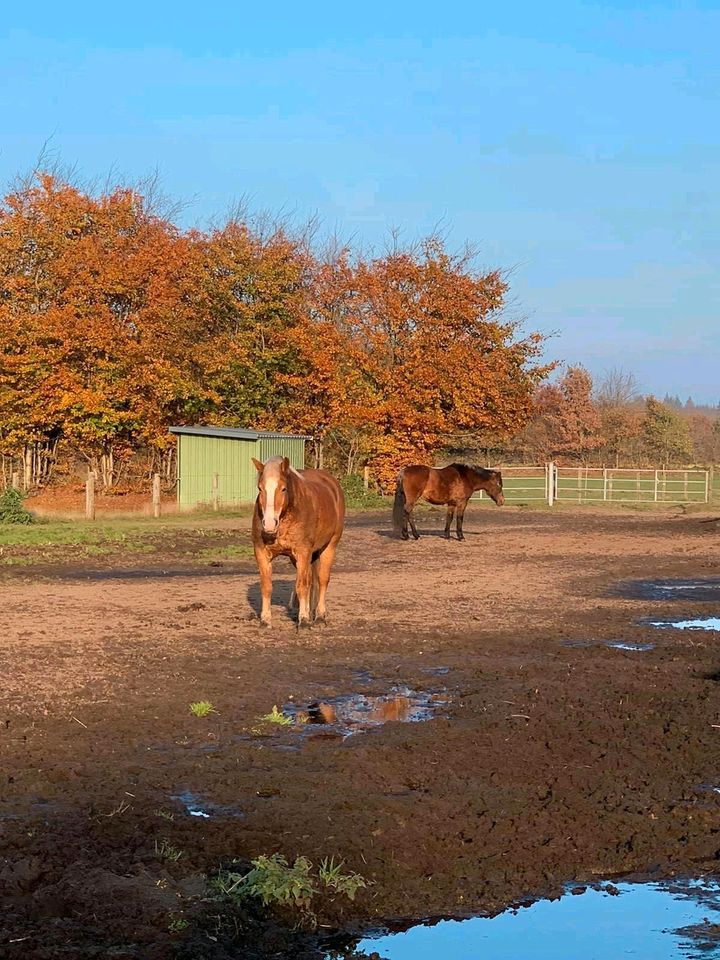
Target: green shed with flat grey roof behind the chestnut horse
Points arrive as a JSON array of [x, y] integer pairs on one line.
[[223, 455]]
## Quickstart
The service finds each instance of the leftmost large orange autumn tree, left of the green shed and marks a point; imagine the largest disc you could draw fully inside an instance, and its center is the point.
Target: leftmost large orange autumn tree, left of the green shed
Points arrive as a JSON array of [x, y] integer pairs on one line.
[[93, 321]]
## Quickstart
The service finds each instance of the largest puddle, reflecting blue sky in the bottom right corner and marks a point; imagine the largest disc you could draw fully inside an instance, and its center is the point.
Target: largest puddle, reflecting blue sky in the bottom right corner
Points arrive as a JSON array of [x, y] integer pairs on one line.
[[653, 921]]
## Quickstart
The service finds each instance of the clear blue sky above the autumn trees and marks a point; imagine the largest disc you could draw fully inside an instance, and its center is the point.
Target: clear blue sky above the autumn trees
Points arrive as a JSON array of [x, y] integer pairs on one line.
[[576, 143]]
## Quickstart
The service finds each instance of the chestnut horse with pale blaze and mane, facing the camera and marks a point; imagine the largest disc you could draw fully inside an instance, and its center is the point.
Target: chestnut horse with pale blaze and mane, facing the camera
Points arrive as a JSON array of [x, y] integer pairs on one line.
[[298, 514]]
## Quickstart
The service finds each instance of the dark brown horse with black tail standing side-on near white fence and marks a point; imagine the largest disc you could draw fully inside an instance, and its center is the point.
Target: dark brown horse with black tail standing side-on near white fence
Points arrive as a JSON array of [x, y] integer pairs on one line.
[[453, 485]]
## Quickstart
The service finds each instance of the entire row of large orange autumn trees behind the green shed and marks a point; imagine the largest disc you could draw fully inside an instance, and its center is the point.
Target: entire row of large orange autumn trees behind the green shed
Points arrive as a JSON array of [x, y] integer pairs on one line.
[[115, 324]]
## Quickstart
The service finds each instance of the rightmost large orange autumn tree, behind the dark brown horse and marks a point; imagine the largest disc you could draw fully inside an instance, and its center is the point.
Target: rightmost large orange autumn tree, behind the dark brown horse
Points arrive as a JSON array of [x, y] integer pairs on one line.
[[432, 353]]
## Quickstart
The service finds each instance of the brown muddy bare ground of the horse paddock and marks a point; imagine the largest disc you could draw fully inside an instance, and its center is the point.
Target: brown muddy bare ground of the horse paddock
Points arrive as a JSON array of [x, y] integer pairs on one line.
[[545, 763]]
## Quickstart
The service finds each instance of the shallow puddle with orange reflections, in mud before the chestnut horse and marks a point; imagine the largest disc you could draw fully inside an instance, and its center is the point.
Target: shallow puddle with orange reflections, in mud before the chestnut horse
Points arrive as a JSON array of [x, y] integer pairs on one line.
[[357, 711]]
